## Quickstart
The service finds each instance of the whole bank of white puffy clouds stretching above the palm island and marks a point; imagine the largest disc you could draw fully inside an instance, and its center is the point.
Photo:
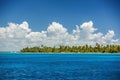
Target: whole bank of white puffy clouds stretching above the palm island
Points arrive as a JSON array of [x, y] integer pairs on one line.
[[17, 36]]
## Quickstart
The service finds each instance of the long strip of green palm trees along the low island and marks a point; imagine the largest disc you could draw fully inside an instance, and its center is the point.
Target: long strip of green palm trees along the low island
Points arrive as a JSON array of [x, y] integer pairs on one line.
[[85, 48]]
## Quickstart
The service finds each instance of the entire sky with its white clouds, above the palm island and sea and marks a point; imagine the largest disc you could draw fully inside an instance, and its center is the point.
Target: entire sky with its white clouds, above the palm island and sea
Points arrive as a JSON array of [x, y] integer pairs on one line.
[[36, 22]]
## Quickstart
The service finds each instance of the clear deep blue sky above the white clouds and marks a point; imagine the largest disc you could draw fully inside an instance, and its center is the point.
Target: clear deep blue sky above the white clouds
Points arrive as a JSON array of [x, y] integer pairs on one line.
[[40, 13]]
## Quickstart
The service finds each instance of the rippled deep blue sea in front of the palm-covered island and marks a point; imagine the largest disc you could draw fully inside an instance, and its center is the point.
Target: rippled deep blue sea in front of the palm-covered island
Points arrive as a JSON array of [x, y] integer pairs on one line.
[[59, 66]]
